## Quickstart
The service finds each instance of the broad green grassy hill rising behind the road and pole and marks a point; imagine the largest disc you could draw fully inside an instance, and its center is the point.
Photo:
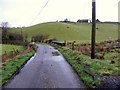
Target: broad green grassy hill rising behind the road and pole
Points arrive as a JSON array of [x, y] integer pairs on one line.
[[80, 32]]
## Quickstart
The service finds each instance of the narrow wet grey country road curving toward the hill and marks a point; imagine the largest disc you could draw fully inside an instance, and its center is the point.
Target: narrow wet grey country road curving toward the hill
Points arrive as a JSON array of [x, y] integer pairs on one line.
[[46, 71]]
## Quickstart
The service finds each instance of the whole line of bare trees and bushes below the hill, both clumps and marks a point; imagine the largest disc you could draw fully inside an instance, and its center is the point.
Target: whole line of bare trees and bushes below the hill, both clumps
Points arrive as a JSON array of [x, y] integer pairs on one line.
[[9, 37]]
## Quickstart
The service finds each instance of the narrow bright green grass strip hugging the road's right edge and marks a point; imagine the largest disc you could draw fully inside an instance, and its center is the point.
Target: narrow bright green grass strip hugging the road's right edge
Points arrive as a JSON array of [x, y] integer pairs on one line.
[[87, 79]]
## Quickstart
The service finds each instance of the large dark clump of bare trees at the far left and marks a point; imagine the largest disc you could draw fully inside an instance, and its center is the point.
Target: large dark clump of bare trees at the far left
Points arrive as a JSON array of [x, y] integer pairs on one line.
[[11, 38]]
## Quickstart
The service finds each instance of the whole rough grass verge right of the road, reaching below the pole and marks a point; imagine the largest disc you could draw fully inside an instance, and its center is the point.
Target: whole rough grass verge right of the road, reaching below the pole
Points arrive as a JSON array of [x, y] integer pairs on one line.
[[95, 68]]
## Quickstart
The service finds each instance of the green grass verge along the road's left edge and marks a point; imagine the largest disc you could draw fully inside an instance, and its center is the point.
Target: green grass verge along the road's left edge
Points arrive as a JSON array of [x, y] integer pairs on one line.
[[11, 67]]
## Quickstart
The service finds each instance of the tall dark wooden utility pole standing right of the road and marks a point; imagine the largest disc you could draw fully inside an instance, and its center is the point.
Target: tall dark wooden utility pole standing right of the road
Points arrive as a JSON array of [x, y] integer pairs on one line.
[[93, 29]]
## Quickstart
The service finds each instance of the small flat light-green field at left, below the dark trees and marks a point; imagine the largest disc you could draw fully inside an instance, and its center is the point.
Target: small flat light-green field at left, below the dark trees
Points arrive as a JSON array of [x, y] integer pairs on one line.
[[9, 48]]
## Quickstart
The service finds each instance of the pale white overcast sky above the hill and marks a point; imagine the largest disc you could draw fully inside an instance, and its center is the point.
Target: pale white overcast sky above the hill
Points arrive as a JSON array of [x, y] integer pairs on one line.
[[27, 12]]
